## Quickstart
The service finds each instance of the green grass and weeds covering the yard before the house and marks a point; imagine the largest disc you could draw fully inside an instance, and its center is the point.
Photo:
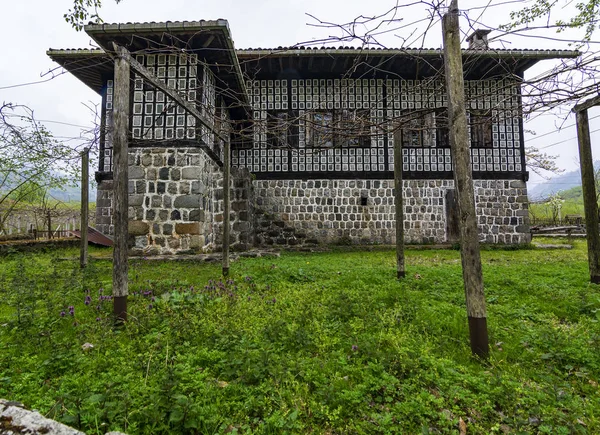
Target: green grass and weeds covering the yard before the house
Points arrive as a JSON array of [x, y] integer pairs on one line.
[[305, 343]]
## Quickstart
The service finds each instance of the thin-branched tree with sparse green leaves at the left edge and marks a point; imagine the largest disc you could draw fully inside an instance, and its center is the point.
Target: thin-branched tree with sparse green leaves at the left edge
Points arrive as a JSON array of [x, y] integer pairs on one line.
[[31, 159]]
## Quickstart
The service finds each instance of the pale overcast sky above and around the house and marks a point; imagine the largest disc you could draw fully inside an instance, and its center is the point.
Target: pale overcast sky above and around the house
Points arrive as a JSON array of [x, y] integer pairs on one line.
[[31, 27]]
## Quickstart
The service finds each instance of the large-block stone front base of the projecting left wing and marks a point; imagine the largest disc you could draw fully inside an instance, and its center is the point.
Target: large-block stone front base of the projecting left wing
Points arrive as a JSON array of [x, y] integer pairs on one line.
[[171, 200]]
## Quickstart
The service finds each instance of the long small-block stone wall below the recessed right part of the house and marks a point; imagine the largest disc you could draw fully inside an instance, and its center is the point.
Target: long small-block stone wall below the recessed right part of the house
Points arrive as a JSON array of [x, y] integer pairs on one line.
[[299, 212]]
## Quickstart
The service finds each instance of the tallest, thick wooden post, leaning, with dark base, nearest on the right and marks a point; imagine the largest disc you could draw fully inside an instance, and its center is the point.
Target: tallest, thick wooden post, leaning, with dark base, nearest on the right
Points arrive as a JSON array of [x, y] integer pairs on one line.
[[463, 179]]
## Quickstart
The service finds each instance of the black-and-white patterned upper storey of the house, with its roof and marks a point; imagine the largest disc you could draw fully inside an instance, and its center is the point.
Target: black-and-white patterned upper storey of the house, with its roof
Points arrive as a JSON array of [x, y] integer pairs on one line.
[[302, 112]]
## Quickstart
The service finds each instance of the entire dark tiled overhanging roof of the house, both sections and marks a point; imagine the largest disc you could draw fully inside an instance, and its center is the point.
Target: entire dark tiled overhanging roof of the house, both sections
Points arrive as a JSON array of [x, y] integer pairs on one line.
[[212, 41]]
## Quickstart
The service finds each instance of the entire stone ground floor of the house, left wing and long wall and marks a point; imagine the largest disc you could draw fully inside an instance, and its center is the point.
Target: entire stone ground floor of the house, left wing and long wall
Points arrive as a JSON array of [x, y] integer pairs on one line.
[[176, 206]]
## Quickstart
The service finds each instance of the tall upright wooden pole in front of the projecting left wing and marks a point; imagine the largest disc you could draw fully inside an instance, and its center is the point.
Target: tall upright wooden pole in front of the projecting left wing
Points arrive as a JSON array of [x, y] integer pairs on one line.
[[120, 191]]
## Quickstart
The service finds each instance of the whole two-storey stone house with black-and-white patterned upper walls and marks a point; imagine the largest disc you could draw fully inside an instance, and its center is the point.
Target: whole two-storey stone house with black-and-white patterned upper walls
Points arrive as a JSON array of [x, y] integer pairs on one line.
[[312, 133]]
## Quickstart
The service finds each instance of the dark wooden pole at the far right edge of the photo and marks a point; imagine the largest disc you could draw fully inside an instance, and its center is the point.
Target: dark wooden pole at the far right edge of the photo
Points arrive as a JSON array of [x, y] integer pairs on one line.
[[588, 187]]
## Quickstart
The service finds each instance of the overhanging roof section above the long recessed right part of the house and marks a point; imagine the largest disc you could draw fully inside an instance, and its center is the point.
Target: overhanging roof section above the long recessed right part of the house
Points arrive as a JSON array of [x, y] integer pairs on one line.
[[407, 63]]
